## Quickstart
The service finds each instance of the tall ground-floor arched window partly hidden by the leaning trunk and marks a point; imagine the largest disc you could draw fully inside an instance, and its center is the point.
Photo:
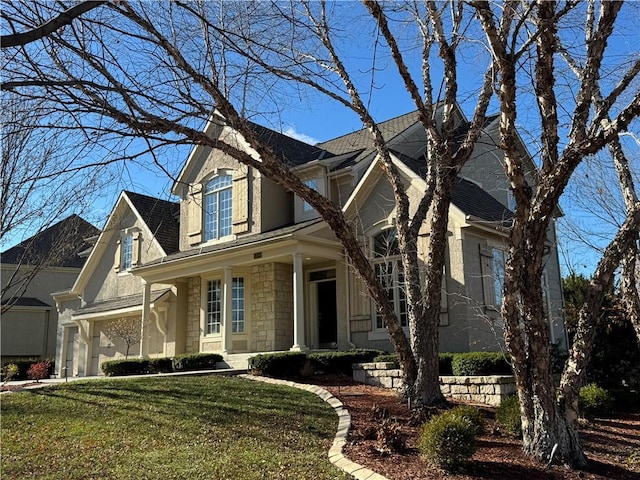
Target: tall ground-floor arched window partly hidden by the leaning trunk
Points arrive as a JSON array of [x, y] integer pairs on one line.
[[388, 268]]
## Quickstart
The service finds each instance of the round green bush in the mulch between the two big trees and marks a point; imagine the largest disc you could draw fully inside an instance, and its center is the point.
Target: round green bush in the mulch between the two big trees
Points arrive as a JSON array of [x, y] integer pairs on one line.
[[447, 440]]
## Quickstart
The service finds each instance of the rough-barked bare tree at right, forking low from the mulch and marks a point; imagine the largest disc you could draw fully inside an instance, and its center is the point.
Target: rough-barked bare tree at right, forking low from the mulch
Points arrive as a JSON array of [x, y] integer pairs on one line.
[[550, 423]]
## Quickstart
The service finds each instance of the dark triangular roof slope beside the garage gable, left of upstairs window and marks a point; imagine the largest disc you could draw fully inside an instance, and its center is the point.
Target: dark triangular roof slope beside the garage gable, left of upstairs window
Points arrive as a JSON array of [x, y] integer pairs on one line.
[[161, 216]]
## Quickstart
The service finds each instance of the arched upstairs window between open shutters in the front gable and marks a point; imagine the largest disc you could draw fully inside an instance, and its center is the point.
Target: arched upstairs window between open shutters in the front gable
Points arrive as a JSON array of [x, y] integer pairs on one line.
[[217, 207]]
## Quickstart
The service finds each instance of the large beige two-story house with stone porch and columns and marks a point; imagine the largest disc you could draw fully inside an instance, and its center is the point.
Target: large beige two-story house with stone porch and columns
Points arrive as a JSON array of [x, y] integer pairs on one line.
[[252, 268]]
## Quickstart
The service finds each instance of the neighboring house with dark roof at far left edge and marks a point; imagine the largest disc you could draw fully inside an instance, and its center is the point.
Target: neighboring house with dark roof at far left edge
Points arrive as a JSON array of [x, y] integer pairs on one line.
[[30, 272]]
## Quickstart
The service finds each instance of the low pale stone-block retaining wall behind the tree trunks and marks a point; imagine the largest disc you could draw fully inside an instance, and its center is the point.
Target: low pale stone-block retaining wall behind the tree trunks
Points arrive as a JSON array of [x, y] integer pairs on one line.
[[487, 389]]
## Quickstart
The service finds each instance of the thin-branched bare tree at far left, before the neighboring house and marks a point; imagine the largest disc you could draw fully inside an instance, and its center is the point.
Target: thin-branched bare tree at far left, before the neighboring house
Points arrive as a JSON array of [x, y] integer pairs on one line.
[[36, 196]]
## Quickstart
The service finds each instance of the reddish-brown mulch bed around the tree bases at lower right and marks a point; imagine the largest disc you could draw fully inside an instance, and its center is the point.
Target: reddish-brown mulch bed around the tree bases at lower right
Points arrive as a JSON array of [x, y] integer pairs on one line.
[[612, 444]]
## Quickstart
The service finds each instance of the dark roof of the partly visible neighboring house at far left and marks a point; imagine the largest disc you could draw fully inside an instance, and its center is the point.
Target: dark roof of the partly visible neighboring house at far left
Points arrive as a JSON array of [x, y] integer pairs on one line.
[[56, 246]]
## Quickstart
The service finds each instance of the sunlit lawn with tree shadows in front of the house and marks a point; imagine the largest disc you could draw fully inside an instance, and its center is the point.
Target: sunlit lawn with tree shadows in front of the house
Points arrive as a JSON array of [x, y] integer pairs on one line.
[[166, 428]]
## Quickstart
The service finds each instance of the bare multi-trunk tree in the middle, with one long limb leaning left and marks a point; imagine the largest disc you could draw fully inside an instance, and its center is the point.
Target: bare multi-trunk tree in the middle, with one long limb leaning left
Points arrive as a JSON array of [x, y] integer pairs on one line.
[[86, 74]]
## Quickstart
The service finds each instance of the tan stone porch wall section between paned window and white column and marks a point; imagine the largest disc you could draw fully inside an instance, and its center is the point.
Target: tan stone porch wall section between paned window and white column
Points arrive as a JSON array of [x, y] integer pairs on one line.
[[271, 307]]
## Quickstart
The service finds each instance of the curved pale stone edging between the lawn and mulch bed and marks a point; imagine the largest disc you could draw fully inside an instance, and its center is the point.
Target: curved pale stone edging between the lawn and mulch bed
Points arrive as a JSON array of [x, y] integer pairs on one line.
[[344, 422]]
